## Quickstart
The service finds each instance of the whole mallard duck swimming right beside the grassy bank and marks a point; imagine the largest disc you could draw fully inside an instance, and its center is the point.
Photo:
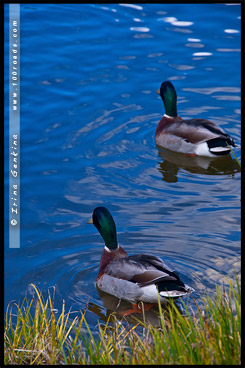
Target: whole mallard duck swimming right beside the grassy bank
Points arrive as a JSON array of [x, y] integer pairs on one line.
[[135, 278]]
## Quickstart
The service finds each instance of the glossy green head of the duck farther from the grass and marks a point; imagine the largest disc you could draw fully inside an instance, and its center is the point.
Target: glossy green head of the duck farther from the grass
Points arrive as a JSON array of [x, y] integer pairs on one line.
[[169, 97]]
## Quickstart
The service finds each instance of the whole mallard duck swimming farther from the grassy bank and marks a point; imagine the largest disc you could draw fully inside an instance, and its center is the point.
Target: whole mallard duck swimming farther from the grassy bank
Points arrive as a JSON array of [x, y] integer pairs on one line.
[[191, 136]]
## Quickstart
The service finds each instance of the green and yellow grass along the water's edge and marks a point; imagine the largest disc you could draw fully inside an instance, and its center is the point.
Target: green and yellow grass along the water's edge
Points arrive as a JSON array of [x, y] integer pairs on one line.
[[211, 336]]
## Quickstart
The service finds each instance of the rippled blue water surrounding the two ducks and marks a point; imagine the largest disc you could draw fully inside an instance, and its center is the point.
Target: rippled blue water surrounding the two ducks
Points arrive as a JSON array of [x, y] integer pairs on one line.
[[89, 111]]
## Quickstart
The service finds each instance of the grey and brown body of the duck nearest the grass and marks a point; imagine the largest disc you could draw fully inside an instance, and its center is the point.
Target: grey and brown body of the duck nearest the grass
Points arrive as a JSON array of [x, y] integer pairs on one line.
[[142, 277]]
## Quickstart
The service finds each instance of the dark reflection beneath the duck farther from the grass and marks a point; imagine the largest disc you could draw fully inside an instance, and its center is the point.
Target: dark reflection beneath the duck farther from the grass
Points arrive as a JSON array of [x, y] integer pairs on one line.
[[173, 161]]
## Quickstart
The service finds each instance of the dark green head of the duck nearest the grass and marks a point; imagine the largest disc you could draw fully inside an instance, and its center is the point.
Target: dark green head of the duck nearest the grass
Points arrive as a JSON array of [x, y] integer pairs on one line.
[[103, 221]]
